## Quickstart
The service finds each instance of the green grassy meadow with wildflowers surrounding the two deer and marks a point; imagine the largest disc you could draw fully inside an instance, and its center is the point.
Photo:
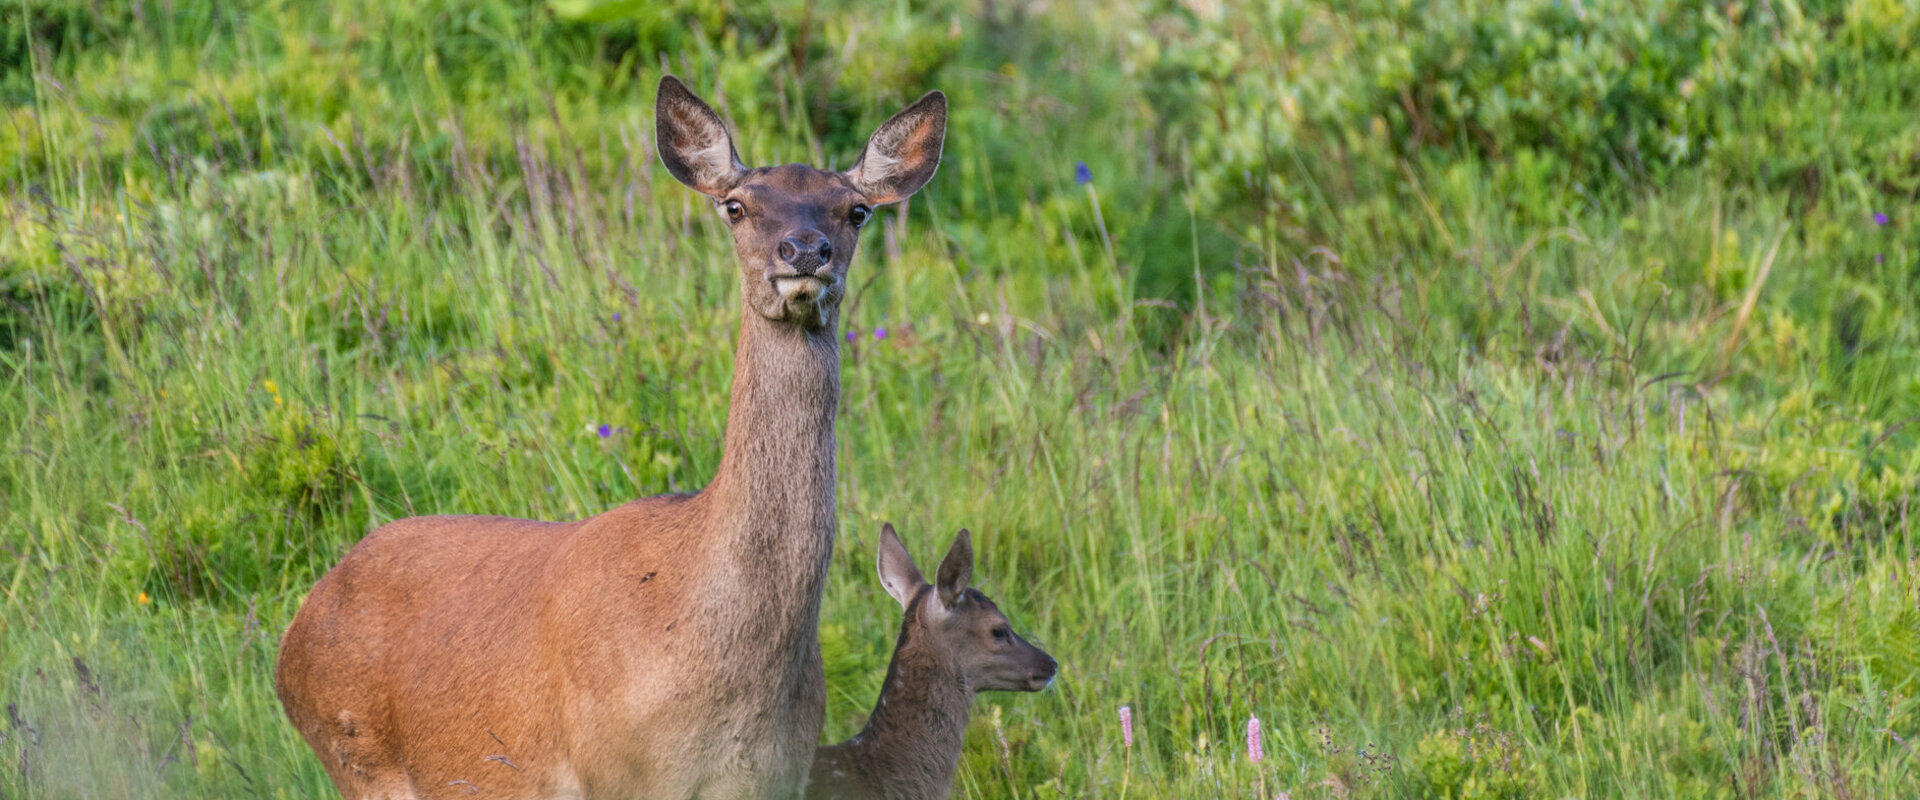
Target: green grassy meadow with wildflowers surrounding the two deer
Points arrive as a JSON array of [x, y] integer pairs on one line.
[[1495, 400]]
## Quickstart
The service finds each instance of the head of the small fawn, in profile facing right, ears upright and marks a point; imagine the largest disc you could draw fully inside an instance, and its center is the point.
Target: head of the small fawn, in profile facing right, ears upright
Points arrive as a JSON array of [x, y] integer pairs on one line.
[[959, 623]]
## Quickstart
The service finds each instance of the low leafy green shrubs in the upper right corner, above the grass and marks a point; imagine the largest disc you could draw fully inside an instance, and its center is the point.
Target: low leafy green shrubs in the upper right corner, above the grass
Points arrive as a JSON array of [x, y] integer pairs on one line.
[[1608, 91]]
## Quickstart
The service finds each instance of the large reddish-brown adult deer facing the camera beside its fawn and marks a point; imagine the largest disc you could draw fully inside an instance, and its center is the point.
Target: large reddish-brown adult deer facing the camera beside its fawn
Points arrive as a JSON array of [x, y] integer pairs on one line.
[[663, 649]]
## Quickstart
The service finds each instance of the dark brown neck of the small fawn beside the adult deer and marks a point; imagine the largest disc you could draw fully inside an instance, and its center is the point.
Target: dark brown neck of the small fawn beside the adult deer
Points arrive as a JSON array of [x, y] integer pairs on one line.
[[913, 741]]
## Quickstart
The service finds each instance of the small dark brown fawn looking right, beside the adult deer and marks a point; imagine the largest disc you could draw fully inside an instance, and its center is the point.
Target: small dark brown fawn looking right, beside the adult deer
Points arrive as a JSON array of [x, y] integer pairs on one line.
[[955, 644]]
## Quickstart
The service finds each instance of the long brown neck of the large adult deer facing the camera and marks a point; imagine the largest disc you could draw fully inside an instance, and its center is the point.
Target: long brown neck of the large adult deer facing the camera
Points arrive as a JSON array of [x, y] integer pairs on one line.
[[773, 498]]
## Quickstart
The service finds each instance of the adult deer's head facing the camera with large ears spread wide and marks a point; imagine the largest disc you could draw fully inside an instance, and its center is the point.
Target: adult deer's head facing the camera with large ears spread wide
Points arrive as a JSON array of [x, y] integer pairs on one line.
[[796, 227]]
